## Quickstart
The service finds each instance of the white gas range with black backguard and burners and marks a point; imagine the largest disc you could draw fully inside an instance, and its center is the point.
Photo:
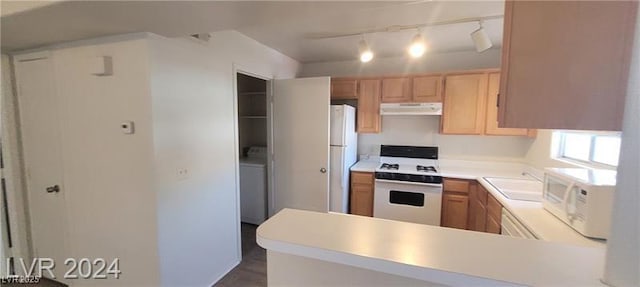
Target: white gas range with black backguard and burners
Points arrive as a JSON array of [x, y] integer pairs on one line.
[[408, 186]]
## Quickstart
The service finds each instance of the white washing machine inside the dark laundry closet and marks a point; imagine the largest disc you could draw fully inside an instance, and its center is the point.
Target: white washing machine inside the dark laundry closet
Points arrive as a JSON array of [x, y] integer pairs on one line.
[[253, 186]]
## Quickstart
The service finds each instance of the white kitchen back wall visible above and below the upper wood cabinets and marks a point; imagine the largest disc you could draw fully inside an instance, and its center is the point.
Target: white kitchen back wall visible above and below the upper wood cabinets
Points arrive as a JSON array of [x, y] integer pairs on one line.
[[423, 130]]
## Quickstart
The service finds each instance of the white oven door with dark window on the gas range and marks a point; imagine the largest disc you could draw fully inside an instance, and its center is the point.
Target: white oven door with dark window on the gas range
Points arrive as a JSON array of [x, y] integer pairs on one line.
[[407, 201]]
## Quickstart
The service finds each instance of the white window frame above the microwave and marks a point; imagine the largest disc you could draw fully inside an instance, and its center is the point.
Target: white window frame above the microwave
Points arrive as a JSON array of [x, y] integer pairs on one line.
[[559, 149]]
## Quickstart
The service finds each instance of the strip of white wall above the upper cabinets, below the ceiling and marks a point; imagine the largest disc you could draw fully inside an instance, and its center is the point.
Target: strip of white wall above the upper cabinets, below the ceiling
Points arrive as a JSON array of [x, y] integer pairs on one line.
[[437, 62]]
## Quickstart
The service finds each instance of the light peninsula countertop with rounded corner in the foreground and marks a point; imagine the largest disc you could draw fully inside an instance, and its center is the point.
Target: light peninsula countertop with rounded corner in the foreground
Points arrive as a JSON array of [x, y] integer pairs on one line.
[[430, 253]]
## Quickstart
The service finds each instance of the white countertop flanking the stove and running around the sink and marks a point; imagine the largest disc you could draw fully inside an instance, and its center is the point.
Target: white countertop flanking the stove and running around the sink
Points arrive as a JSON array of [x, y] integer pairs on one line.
[[532, 215]]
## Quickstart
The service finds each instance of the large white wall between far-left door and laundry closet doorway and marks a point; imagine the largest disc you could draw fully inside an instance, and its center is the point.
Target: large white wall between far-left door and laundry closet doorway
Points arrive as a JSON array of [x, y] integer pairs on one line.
[[123, 194]]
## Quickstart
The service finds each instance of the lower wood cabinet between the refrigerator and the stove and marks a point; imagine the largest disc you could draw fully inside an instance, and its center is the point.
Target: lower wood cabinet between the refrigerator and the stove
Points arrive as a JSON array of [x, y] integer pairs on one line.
[[361, 197]]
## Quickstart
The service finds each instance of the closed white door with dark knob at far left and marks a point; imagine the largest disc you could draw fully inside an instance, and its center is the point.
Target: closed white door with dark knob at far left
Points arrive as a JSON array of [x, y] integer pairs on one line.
[[42, 157]]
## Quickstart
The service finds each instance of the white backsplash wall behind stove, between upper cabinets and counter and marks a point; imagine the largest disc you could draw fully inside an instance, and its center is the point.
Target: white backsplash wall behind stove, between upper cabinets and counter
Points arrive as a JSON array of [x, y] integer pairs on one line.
[[423, 130]]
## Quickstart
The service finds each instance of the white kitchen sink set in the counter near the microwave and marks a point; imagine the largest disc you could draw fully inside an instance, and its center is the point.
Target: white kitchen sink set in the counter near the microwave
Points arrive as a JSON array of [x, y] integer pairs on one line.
[[517, 189]]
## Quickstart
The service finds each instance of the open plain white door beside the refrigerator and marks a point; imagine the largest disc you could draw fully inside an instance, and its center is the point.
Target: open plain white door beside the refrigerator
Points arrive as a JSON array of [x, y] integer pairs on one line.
[[301, 144]]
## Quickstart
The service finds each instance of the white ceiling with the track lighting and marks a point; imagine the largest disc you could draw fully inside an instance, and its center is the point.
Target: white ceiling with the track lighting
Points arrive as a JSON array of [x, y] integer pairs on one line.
[[284, 26]]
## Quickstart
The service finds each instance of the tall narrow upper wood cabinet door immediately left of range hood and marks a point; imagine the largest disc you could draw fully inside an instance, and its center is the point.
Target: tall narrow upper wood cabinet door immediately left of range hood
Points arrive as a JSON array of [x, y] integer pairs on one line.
[[369, 106]]
